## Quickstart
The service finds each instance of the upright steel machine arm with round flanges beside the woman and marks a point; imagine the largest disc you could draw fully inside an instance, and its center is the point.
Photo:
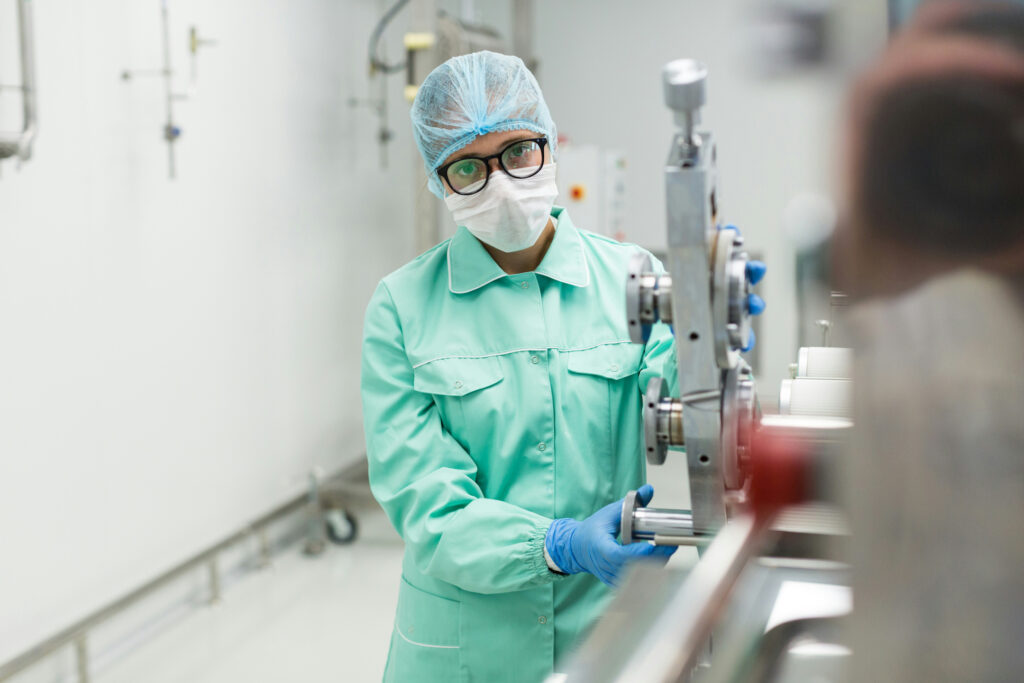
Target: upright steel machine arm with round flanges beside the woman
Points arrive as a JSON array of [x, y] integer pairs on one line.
[[704, 296]]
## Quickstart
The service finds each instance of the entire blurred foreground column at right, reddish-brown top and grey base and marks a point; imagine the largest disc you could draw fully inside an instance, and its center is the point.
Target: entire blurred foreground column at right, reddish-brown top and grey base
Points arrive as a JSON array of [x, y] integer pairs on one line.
[[932, 247]]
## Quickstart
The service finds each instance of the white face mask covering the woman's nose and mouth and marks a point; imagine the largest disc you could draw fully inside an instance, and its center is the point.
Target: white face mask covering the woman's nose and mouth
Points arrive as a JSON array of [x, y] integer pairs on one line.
[[510, 214]]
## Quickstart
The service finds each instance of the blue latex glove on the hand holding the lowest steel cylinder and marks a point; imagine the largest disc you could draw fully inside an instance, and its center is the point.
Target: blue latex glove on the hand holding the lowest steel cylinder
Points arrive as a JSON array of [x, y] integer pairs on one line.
[[592, 545]]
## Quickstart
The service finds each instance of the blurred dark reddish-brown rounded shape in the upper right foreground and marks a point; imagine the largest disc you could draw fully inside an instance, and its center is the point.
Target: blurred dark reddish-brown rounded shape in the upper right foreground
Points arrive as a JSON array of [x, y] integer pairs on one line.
[[934, 159]]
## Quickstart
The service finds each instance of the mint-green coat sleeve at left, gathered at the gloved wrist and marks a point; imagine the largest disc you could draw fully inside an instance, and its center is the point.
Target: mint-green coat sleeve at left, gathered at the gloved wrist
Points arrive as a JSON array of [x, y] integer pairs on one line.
[[425, 481]]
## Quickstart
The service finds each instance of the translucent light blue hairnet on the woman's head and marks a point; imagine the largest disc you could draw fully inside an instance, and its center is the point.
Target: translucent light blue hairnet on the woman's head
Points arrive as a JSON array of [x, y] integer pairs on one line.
[[475, 95]]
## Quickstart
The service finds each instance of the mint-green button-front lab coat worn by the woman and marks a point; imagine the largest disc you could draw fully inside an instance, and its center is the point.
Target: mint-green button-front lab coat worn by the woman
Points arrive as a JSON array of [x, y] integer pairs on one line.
[[493, 405]]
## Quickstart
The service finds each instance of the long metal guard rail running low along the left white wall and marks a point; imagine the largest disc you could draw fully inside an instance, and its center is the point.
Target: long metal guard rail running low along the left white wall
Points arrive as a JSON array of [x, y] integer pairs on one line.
[[80, 628]]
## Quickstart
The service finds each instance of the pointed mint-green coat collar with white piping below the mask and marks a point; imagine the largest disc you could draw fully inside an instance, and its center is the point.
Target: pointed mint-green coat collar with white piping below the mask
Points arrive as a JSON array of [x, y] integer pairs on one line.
[[471, 267]]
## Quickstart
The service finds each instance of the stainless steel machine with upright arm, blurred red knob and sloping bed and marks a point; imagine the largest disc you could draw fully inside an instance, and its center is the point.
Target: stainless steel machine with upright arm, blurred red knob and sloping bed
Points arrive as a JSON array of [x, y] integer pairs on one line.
[[757, 482]]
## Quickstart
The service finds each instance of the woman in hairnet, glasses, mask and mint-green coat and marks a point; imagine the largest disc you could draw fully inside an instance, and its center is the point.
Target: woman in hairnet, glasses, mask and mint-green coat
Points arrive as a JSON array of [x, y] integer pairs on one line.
[[502, 397]]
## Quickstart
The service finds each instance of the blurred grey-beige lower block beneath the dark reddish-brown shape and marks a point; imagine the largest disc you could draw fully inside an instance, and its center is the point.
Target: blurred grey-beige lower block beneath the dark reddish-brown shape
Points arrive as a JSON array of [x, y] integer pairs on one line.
[[937, 489]]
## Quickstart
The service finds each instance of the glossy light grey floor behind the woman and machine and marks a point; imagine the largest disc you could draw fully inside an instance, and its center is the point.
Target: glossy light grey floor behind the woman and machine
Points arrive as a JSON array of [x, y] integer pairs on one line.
[[311, 620]]
